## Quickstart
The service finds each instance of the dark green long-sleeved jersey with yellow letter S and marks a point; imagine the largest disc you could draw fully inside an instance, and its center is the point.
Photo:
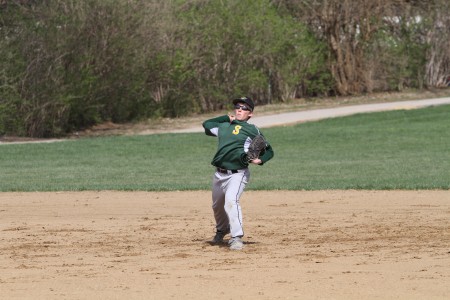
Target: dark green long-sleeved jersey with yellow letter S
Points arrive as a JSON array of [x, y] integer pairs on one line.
[[234, 139]]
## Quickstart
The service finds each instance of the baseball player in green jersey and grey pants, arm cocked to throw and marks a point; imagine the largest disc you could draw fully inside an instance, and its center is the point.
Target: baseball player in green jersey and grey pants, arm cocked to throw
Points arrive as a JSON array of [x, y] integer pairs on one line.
[[231, 168]]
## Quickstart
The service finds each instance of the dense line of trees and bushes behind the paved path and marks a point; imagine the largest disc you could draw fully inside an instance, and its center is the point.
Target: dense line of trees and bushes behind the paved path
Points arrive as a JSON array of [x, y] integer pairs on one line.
[[70, 64]]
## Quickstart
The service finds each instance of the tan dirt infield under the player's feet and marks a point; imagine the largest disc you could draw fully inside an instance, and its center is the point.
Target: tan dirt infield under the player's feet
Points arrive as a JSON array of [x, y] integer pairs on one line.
[[298, 245]]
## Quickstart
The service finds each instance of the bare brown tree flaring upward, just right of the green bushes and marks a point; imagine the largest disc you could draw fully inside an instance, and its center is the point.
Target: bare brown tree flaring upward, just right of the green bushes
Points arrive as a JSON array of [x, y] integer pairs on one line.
[[348, 27]]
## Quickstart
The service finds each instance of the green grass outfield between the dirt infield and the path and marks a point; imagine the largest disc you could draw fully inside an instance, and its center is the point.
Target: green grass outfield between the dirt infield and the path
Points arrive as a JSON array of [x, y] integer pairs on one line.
[[389, 150]]
